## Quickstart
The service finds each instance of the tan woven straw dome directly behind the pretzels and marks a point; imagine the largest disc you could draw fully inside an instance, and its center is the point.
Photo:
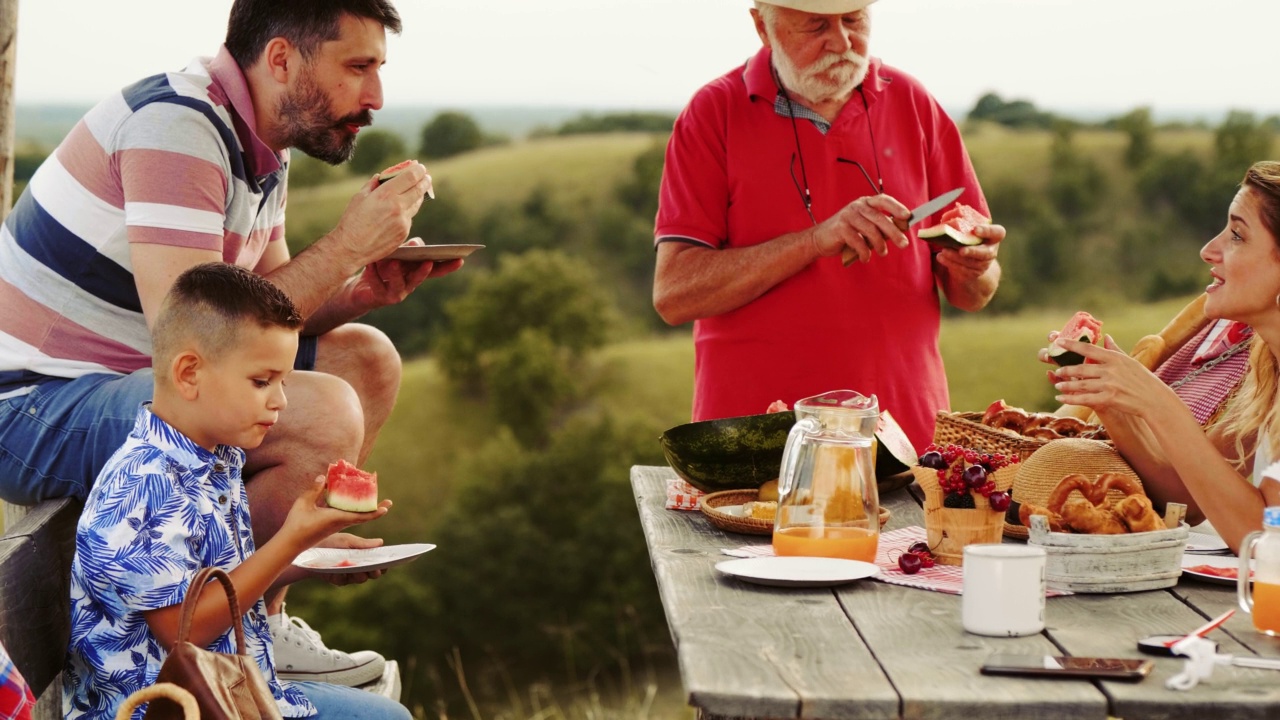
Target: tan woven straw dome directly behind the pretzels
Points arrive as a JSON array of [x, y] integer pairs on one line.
[[1039, 476]]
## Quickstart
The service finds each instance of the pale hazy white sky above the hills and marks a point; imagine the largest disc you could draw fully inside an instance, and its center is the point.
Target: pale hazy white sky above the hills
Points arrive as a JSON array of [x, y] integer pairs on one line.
[[1062, 54]]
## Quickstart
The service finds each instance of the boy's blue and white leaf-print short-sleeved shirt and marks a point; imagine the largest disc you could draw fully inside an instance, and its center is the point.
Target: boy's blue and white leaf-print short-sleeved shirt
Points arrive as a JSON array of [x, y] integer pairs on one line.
[[162, 509]]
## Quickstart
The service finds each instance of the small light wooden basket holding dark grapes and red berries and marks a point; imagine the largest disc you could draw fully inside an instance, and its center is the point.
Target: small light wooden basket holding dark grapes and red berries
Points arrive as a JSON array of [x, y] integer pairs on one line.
[[949, 530]]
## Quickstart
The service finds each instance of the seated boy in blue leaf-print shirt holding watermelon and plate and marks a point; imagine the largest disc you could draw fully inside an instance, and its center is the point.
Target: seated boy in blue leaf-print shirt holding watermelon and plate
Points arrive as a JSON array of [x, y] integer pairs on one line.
[[172, 502]]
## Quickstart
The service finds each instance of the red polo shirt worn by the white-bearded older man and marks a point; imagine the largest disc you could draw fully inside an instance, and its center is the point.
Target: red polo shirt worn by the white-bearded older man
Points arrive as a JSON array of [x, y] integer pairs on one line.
[[871, 327]]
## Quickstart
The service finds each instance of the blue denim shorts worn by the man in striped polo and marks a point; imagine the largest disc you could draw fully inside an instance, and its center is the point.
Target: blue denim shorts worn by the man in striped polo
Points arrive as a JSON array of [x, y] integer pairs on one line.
[[58, 438]]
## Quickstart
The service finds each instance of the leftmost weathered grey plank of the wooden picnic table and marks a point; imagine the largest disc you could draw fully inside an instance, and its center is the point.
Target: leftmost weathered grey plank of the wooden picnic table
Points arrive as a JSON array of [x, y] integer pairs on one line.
[[748, 650]]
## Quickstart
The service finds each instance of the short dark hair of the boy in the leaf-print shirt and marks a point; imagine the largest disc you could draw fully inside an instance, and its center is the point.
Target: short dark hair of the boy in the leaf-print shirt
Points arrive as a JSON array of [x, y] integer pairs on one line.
[[212, 303]]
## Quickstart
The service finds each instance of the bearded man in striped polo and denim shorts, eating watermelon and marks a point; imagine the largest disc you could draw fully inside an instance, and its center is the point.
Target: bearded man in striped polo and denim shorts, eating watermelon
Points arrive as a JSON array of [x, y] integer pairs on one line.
[[191, 167]]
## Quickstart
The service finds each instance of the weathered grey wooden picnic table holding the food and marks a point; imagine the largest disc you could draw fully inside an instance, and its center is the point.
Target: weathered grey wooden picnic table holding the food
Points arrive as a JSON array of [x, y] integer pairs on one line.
[[871, 650]]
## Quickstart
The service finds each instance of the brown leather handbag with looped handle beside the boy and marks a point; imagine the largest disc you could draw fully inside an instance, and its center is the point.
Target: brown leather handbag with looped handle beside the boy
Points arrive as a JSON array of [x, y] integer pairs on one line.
[[227, 687]]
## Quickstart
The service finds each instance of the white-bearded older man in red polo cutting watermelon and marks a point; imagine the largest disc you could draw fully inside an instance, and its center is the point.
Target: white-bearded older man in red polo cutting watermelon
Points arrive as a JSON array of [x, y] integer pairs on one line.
[[772, 172]]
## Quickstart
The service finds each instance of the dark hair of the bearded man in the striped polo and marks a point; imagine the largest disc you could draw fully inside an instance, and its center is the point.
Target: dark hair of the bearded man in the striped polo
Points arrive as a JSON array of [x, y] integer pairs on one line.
[[305, 24]]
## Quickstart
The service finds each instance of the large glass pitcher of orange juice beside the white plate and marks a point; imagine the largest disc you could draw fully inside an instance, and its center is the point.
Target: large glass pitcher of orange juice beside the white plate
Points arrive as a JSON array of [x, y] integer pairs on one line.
[[829, 505]]
